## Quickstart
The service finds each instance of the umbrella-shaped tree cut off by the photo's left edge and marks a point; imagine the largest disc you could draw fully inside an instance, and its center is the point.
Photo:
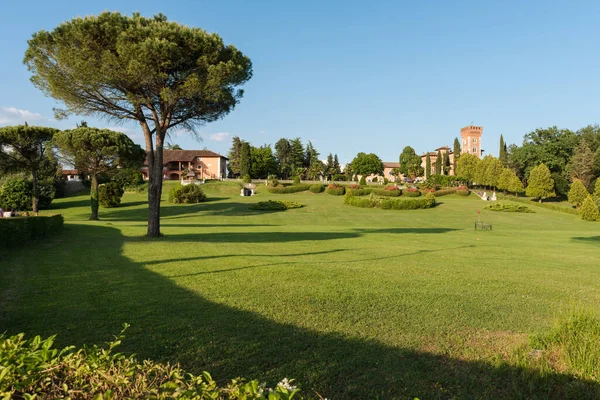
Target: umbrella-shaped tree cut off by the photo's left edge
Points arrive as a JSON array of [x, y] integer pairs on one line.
[[27, 147]]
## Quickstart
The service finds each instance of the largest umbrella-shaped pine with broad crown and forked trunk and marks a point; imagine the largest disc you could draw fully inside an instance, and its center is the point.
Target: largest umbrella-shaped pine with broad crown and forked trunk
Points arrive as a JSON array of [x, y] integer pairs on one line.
[[160, 74]]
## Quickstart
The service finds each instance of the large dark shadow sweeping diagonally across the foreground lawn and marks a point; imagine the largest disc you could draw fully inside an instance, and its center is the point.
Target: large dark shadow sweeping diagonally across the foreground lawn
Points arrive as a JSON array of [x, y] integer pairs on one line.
[[85, 293]]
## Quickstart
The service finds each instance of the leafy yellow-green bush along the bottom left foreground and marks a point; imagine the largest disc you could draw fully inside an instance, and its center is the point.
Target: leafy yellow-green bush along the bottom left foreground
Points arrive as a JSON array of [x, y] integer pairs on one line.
[[33, 368]]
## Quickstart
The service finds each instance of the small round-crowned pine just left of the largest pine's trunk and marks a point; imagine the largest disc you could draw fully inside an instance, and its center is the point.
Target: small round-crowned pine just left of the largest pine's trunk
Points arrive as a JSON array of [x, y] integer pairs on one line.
[[96, 152]]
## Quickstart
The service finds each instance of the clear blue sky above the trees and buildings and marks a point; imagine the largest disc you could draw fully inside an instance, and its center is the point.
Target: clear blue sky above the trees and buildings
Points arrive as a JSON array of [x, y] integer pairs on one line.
[[369, 76]]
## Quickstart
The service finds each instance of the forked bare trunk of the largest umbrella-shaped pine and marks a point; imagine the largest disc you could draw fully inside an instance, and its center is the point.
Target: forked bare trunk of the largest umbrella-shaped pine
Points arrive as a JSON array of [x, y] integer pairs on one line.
[[155, 175]]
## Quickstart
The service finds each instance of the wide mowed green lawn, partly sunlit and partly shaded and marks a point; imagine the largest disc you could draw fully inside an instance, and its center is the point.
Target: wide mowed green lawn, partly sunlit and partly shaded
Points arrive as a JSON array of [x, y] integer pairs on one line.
[[351, 302]]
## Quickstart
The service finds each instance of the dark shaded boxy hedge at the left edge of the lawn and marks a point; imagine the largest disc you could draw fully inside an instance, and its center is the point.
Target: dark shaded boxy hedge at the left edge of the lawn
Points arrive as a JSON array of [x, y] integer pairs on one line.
[[20, 230]]
